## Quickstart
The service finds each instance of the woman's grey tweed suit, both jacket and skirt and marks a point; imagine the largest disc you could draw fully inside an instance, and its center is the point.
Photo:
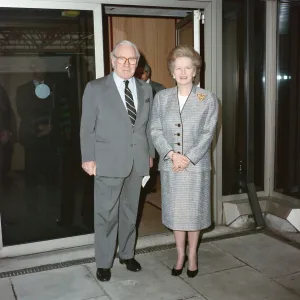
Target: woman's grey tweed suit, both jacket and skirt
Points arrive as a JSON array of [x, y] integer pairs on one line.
[[186, 194]]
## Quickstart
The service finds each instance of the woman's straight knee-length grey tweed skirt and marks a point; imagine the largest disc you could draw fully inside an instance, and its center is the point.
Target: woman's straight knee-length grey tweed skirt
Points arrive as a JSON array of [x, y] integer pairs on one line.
[[186, 200]]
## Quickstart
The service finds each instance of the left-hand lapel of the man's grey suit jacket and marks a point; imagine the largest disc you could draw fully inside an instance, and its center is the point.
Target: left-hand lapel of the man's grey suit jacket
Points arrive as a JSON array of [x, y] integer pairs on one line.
[[114, 97]]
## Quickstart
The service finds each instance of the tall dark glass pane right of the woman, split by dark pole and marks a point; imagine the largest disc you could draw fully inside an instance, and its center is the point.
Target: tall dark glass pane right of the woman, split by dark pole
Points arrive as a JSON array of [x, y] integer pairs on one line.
[[234, 102]]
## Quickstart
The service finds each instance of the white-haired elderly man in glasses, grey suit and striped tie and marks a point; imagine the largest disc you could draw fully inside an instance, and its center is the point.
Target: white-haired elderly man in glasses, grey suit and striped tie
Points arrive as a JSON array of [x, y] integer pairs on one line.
[[117, 149]]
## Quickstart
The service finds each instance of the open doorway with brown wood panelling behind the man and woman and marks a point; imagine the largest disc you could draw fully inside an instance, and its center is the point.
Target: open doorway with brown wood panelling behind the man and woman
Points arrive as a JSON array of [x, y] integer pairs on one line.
[[156, 32]]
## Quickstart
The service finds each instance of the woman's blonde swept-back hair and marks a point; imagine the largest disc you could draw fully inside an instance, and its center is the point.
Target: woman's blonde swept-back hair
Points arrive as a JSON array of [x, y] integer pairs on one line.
[[184, 51]]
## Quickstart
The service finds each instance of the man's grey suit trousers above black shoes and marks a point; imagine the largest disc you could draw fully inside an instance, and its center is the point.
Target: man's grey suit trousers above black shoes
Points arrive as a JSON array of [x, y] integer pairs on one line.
[[116, 202]]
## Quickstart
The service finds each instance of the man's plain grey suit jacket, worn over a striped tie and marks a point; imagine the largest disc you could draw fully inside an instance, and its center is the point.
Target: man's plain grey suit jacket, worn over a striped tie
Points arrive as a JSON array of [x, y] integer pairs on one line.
[[107, 135]]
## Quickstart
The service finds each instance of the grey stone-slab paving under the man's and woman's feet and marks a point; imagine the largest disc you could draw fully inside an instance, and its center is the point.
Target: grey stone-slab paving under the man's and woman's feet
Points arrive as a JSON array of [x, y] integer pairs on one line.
[[250, 267]]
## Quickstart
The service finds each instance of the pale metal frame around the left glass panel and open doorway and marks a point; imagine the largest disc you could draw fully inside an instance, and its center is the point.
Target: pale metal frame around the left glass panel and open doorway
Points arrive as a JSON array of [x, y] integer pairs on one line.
[[213, 79]]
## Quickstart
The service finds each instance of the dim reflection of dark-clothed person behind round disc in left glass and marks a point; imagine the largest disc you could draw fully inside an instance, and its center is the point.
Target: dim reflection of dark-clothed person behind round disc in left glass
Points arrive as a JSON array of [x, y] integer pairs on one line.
[[37, 128]]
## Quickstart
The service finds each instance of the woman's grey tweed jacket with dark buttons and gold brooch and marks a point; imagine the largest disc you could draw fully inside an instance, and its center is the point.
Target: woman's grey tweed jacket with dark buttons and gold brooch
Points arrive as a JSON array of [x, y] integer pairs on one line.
[[189, 132]]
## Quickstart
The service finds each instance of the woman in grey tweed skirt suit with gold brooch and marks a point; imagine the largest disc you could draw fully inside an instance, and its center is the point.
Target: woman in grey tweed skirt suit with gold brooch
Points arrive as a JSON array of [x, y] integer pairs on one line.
[[182, 126]]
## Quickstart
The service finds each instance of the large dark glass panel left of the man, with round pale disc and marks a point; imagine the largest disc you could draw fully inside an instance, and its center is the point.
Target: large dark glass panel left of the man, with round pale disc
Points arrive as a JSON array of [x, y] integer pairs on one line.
[[46, 59]]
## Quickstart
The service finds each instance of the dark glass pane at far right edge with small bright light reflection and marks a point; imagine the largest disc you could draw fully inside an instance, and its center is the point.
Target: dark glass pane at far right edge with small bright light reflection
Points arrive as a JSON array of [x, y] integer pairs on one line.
[[287, 160]]
